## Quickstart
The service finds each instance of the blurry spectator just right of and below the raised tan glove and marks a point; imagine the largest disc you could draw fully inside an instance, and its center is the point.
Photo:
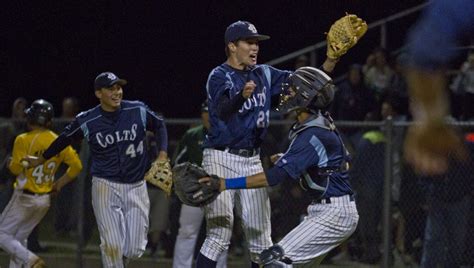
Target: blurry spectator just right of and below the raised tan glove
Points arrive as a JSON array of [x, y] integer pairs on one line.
[[379, 75]]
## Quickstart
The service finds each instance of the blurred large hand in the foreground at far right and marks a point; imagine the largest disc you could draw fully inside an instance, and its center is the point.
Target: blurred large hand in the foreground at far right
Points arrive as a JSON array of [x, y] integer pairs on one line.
[[429, 146]]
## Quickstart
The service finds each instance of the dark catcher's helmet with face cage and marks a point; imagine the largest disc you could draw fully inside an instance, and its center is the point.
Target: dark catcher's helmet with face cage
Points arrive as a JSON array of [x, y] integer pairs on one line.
[[308, 88]]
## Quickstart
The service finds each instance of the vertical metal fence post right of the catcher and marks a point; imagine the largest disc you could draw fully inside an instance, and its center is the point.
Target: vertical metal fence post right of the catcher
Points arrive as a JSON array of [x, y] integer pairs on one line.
[[387, 196]]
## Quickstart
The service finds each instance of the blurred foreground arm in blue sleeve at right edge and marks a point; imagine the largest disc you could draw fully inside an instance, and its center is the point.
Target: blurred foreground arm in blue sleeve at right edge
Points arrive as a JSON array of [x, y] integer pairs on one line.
[[431, 46]]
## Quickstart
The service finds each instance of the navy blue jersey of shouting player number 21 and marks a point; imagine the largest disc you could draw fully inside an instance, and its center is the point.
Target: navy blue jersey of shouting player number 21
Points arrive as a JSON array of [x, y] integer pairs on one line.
[[247, 127]]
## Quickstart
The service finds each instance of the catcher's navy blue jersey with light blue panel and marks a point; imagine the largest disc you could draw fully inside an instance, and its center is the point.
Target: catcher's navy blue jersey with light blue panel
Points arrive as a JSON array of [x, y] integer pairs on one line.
[[315, 149]]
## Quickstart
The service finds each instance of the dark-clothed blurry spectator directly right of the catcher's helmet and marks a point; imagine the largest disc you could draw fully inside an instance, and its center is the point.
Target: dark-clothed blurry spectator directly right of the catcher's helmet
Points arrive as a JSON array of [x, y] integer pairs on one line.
[[352, 101]]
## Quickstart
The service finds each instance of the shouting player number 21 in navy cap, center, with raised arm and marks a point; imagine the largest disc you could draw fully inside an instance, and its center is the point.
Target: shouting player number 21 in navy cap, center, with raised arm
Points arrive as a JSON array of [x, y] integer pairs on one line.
[[239, 93]]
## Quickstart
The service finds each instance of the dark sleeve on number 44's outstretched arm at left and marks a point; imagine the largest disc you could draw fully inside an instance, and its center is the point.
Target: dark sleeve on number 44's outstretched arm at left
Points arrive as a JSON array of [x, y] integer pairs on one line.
[[71, 133]]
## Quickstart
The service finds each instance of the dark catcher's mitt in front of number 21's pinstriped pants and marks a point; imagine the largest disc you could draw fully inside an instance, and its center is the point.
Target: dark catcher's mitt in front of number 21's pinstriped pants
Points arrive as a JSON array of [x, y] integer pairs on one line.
[[188, 188]]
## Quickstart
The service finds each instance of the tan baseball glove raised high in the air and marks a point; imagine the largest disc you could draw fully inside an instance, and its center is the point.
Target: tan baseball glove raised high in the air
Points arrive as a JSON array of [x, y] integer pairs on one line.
[[344, 34]]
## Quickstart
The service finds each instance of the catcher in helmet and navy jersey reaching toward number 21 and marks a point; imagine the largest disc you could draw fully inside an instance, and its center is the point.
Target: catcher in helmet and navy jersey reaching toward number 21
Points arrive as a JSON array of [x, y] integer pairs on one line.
[[318, 159]]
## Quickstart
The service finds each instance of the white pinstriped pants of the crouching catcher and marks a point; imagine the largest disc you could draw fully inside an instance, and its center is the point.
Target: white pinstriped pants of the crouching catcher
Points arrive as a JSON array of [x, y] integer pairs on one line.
[[325, 227]]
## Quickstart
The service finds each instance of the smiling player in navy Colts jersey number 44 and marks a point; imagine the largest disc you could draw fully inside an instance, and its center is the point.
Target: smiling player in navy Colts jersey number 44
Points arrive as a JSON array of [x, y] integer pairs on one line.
[[116, 131]]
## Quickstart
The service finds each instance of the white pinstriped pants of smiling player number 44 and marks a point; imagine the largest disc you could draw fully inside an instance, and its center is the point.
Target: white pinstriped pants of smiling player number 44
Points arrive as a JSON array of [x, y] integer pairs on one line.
[[121, 211]]
